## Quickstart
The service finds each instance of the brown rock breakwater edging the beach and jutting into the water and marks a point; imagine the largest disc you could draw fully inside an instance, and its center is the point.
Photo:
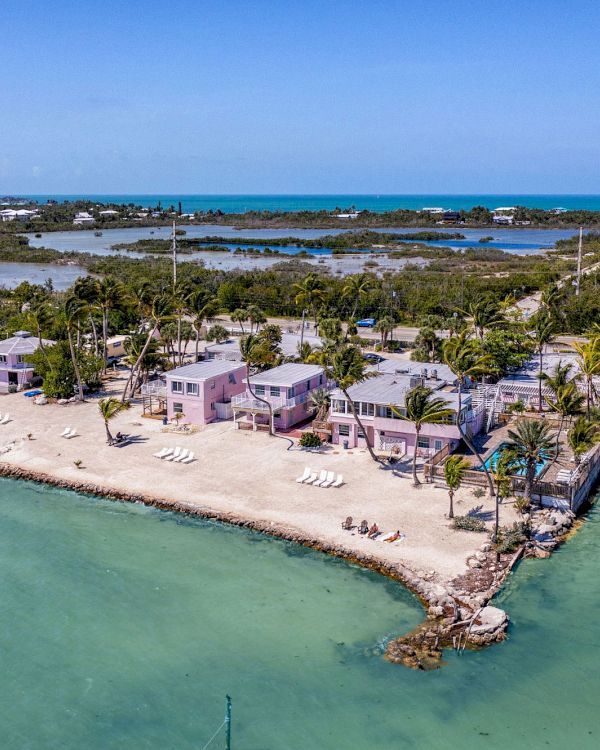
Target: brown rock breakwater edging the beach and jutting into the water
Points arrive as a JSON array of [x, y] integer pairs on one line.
[[458, 612]]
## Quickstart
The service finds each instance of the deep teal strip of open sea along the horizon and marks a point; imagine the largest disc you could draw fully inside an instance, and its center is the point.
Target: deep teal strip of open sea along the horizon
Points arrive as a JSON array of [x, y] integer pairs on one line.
[[243, 203]]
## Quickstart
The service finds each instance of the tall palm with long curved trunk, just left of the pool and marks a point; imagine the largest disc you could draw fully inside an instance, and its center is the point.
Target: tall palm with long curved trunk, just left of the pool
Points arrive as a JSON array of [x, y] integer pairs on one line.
[[463, 356]]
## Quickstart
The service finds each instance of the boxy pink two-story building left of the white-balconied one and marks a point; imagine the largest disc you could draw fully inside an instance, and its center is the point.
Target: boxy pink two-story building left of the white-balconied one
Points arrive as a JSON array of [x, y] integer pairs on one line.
[[202, 391]]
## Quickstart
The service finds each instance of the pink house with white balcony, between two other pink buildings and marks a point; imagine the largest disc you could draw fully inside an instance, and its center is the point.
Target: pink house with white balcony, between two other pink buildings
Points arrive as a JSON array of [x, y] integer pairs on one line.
[[287, 388]]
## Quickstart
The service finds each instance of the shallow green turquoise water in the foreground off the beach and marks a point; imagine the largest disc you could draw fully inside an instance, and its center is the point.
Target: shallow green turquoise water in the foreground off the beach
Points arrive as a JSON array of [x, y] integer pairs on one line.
[[122, 627]]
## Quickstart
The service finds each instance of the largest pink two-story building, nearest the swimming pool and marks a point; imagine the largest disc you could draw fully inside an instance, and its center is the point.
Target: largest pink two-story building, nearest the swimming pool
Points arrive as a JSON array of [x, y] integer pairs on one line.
[[373, 400]]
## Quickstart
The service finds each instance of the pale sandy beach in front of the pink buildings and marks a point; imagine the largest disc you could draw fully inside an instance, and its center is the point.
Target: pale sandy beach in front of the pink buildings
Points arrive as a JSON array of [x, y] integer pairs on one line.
[[251, 475]]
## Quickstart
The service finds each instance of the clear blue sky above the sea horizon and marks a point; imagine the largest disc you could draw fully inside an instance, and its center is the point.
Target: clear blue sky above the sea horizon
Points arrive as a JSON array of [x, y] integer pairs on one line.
[[378, 96]]
